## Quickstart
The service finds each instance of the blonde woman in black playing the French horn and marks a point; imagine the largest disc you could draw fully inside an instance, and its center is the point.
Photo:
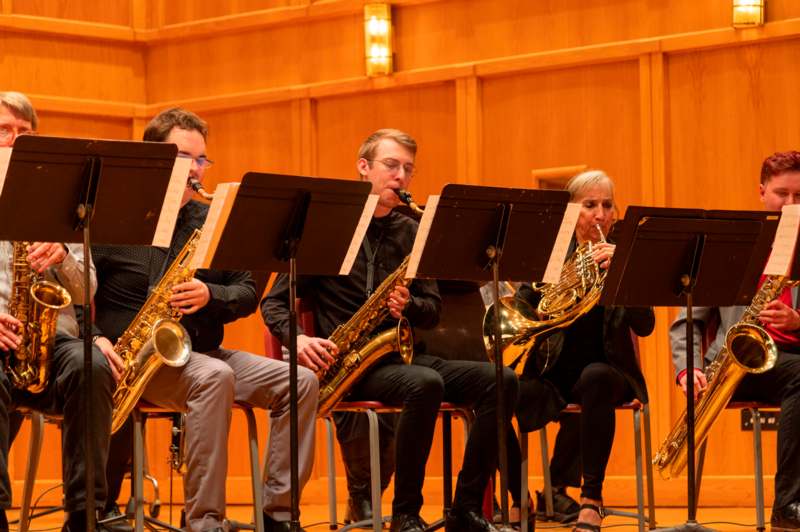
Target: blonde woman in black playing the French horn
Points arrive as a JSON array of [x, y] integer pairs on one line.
[[591, 362]]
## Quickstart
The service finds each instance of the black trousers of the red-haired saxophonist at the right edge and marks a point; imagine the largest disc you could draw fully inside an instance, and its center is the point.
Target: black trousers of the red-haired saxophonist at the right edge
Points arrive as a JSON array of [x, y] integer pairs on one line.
[[781, 386]]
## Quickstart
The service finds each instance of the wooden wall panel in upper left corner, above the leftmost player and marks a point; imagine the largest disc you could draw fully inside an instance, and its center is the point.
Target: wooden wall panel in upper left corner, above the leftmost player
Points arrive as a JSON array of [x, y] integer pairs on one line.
[[68, 67]]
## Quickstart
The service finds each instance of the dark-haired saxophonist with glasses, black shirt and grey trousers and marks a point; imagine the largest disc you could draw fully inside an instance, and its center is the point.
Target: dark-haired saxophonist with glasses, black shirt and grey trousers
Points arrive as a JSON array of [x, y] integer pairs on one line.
[[214, 377]]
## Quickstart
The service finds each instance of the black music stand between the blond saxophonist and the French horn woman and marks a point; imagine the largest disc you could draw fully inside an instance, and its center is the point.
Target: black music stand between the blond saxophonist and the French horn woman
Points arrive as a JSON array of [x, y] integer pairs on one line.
[[487, 234]]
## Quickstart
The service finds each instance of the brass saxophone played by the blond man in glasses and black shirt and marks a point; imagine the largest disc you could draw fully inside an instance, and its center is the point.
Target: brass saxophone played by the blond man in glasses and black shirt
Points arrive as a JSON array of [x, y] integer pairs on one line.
[[357, 350]]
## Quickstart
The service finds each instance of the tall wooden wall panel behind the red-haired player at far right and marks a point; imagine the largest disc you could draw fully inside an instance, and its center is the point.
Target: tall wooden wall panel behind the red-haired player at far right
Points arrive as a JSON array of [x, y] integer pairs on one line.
[[727, 110]]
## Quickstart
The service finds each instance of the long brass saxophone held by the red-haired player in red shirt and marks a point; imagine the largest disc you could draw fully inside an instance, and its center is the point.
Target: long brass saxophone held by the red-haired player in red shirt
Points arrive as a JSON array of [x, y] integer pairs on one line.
[[748, 349]]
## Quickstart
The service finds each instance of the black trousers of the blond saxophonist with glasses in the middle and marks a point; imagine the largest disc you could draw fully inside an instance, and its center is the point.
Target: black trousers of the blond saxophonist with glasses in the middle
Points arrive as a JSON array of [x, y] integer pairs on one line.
[[419, 388]]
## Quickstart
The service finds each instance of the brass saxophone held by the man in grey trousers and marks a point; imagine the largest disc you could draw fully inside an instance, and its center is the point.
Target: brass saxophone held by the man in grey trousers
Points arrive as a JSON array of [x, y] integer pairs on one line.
[[154, 337]]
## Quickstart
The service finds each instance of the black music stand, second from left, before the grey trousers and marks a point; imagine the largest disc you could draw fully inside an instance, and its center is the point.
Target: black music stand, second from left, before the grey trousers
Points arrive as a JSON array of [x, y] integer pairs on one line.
[[292, 224]]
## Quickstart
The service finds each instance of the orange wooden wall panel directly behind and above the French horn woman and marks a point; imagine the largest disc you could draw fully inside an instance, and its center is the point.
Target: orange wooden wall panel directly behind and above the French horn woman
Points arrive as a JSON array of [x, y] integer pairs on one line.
[[586, 115]]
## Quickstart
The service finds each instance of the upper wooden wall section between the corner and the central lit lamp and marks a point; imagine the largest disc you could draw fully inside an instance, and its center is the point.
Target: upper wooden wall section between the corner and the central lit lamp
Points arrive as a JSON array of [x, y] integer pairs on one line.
[[277, 56]]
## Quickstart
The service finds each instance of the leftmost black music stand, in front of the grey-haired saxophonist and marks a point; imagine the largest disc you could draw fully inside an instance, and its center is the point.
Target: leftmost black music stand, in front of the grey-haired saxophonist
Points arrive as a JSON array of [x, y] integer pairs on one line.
[[57, 188]]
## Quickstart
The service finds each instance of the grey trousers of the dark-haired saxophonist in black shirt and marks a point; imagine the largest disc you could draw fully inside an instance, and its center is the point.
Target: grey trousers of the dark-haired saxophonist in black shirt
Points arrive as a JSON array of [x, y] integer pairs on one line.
[[205, 388]]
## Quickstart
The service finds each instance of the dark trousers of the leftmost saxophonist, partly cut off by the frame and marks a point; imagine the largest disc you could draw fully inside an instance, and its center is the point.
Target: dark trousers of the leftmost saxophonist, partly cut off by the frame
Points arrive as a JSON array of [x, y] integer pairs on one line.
[[63, 395]]
